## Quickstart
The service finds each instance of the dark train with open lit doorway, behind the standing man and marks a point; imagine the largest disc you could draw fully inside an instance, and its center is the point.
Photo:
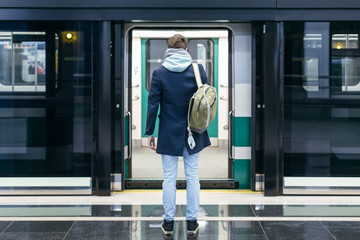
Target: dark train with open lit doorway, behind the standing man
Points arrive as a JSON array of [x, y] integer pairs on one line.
[[74, 83]]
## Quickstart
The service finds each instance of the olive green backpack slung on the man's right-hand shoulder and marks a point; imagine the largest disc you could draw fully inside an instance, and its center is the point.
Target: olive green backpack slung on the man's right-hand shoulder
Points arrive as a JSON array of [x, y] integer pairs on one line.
[[202, 107]]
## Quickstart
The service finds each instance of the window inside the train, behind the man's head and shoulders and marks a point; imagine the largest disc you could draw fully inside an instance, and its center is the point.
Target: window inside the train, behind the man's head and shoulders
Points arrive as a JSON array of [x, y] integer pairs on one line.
[[201, 51]]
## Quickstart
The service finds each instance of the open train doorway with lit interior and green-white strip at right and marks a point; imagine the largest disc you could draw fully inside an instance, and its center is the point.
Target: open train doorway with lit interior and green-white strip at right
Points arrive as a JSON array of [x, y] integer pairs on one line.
[[225, 53]]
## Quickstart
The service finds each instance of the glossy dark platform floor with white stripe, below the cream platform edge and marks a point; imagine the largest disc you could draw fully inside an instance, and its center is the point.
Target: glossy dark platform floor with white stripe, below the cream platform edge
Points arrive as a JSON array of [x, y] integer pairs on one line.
[[217, 222]]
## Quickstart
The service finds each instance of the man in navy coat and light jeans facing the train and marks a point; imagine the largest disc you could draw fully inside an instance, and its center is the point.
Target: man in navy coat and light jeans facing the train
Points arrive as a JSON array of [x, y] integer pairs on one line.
[[172, 86]]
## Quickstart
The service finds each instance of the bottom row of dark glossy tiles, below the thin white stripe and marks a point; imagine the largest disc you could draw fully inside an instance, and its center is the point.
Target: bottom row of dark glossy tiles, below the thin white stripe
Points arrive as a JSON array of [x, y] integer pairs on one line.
[[150, 230]]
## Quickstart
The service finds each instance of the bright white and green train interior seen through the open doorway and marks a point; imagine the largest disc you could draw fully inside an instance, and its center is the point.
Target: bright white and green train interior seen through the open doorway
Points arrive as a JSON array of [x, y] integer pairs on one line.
[[206, 47]]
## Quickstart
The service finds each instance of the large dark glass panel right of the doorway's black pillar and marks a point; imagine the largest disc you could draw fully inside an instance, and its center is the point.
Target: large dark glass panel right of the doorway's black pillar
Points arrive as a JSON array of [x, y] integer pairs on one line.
[[320, 121]]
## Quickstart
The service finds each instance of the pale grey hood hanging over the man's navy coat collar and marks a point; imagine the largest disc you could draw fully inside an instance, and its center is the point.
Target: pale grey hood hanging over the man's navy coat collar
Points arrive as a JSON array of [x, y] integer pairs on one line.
[[177, 59]]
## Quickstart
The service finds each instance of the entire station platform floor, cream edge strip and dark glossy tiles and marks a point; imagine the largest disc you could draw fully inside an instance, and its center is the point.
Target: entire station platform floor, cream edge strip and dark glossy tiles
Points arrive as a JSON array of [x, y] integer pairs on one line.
[[137, 214]]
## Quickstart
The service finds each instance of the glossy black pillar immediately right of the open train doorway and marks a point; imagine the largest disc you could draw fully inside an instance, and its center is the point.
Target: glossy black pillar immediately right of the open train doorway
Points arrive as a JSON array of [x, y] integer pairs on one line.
[[267, 108]]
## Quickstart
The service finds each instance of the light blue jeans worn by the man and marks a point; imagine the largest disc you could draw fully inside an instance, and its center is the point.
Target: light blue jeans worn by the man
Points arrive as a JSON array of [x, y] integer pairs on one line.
[[191, 165]]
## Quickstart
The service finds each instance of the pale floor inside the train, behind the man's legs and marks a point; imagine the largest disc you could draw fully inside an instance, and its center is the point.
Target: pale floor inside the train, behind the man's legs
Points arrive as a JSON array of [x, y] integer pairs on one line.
[[213, 163]]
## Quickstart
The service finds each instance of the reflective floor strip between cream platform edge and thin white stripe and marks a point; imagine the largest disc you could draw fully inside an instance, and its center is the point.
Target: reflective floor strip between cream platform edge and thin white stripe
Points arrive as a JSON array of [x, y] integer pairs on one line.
[[157, 211]]
